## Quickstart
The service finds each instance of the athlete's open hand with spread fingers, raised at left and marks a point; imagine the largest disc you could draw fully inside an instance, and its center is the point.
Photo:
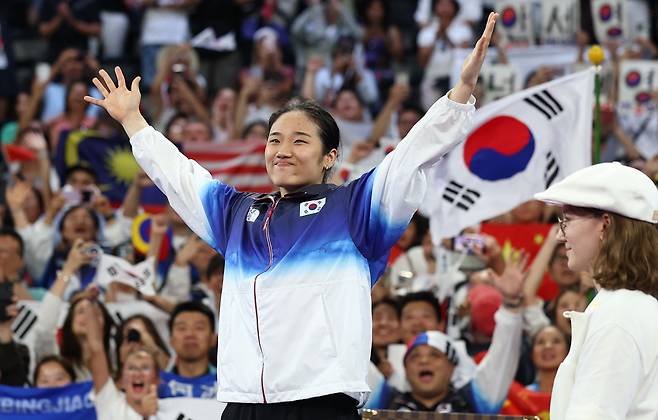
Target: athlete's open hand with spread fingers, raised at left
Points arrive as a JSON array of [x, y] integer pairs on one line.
[[118, 101]]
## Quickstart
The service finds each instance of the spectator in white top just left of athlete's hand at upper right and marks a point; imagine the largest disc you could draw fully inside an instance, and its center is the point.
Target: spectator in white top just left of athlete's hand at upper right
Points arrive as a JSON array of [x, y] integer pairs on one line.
[[435, 44]]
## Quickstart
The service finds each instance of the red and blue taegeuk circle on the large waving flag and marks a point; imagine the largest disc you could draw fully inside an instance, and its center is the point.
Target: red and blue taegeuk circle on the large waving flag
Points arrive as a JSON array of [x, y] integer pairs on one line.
[[499, 149]]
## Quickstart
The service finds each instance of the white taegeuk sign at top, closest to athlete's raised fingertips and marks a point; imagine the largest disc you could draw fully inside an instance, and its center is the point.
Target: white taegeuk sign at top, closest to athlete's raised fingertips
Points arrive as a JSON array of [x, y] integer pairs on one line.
[[516, 21]]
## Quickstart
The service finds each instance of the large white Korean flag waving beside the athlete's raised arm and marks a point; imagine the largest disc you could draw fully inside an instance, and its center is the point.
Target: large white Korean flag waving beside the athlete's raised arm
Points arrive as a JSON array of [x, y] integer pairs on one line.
[[518, 146]]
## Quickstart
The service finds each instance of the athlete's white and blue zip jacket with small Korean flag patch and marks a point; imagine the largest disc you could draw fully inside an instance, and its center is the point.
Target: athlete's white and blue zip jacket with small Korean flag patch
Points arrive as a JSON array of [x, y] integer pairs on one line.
[[295, 319]]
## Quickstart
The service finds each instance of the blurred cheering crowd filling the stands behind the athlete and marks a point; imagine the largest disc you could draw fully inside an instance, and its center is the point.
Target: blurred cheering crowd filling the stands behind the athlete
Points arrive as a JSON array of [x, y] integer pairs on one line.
[[467, 326]]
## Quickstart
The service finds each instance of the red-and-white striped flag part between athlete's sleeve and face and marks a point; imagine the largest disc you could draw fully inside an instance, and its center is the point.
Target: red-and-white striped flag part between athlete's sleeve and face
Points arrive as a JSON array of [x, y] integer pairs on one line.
[[240, 164]]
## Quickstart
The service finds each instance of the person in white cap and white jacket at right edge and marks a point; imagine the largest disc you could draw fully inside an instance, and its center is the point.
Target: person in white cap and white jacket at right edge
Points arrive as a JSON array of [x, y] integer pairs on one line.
[[609, 227]]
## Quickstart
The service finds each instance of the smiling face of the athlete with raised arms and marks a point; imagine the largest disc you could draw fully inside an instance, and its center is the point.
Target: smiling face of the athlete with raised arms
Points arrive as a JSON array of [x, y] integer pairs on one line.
[[295, 155]]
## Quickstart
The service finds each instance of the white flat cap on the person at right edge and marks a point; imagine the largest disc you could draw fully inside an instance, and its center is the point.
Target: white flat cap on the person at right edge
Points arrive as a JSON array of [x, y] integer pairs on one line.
[[607, 186]]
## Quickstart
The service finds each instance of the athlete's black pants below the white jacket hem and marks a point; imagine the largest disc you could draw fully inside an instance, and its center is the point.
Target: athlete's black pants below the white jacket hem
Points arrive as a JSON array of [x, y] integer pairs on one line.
[[329, 407]]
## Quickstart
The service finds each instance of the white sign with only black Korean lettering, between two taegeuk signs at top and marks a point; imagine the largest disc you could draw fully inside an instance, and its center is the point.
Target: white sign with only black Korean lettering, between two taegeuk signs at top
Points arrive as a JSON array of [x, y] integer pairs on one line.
[[559, 21]]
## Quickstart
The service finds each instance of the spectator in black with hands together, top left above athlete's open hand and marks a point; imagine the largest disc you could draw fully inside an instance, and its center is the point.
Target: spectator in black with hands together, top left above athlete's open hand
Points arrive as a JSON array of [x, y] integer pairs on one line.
[[68, 24]]
